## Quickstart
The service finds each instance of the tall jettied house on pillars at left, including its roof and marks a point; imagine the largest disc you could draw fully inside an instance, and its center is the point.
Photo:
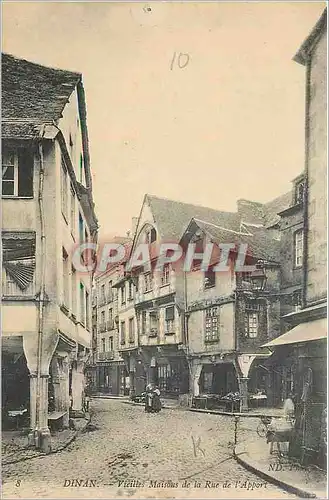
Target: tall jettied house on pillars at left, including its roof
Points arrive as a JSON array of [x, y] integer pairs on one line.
[[47, 209]]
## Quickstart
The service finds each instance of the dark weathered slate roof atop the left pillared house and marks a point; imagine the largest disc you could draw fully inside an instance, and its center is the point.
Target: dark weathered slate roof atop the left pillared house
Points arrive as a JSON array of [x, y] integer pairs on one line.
[[32, 94]]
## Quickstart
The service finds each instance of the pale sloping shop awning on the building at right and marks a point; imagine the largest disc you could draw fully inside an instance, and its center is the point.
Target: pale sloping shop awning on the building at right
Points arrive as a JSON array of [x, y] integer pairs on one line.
[[304, 332]]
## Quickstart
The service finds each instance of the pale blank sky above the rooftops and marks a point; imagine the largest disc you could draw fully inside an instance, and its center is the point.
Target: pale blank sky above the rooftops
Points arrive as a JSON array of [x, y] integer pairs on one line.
[[228, 125]]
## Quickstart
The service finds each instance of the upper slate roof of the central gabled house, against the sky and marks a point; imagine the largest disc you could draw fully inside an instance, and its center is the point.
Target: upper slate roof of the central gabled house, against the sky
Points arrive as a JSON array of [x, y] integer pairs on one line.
[[172, 217]]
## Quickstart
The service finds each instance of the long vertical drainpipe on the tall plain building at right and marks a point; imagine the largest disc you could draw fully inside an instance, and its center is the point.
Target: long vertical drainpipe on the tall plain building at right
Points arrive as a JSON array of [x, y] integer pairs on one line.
[[305, 201]]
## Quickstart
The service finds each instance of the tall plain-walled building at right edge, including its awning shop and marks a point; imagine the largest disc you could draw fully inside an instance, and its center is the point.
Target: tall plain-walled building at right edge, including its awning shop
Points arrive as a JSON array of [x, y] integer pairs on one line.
[[302, 350]]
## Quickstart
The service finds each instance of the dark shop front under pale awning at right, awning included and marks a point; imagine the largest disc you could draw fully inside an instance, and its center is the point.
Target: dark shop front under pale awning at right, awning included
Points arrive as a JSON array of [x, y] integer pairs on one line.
[[303, 354]]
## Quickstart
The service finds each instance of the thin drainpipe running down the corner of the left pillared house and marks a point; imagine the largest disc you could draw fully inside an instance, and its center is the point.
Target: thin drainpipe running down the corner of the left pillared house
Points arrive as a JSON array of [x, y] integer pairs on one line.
[[42, 287]]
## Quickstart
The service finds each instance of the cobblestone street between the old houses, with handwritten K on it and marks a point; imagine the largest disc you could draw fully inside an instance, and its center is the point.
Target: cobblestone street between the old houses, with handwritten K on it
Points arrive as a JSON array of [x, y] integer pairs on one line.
[[148, 451]]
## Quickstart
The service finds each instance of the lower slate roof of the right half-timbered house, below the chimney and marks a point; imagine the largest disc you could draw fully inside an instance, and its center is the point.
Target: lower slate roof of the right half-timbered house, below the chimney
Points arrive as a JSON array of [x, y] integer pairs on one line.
[[260, 244]]
